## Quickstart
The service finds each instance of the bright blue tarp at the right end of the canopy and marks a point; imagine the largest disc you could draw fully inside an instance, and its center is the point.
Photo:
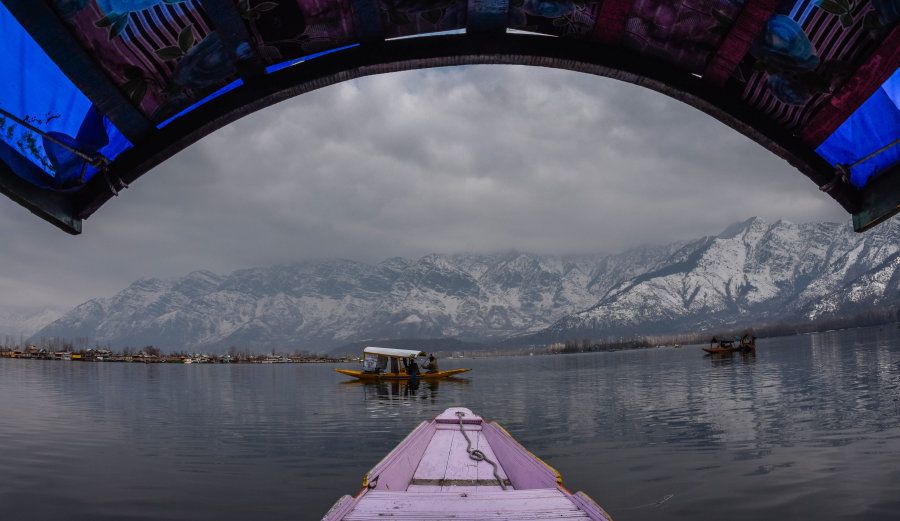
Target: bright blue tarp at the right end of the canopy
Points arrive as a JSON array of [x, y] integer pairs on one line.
[[875, 124]]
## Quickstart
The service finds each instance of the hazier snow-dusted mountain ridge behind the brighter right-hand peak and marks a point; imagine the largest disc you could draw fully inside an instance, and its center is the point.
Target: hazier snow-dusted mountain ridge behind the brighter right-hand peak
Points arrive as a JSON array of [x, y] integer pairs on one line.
[[322, 304]]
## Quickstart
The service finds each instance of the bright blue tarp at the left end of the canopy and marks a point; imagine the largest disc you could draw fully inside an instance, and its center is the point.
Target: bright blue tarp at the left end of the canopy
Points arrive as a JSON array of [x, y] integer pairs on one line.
[[34, 89]]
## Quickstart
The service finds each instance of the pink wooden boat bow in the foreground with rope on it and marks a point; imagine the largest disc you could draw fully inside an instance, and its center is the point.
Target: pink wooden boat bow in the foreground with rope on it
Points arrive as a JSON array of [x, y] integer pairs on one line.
[[459, 466]]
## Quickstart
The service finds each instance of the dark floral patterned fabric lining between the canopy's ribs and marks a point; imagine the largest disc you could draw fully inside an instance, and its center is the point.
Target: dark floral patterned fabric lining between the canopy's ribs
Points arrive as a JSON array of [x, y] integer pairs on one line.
[[165, 54]]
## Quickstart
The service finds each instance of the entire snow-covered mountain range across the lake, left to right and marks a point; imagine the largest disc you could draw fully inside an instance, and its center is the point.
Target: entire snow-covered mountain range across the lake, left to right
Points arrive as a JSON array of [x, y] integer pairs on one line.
[[753, 270]]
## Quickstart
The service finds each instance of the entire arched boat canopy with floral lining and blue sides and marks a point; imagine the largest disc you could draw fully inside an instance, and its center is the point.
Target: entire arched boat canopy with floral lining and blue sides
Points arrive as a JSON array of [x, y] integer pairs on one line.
[[97, 92]]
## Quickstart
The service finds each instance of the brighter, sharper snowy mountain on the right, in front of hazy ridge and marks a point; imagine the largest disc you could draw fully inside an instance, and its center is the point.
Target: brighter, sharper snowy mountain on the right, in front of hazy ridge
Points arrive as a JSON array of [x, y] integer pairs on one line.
[[753, 271]]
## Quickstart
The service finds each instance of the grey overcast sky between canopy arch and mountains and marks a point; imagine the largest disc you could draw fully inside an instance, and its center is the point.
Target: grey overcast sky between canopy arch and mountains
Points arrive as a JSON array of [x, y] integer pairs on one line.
[[483, 158]]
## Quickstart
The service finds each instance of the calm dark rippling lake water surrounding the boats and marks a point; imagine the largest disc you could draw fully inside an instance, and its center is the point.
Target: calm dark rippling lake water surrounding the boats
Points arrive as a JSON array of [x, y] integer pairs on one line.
[[808, 428]]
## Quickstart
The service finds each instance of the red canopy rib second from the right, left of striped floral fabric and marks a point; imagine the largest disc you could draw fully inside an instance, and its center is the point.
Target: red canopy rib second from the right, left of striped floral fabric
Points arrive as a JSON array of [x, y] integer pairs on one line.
[[746, 28]]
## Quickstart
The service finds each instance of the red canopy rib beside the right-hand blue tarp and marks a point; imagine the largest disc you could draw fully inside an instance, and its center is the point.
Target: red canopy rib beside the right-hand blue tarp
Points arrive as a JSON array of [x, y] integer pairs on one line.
[[867, 79]]
